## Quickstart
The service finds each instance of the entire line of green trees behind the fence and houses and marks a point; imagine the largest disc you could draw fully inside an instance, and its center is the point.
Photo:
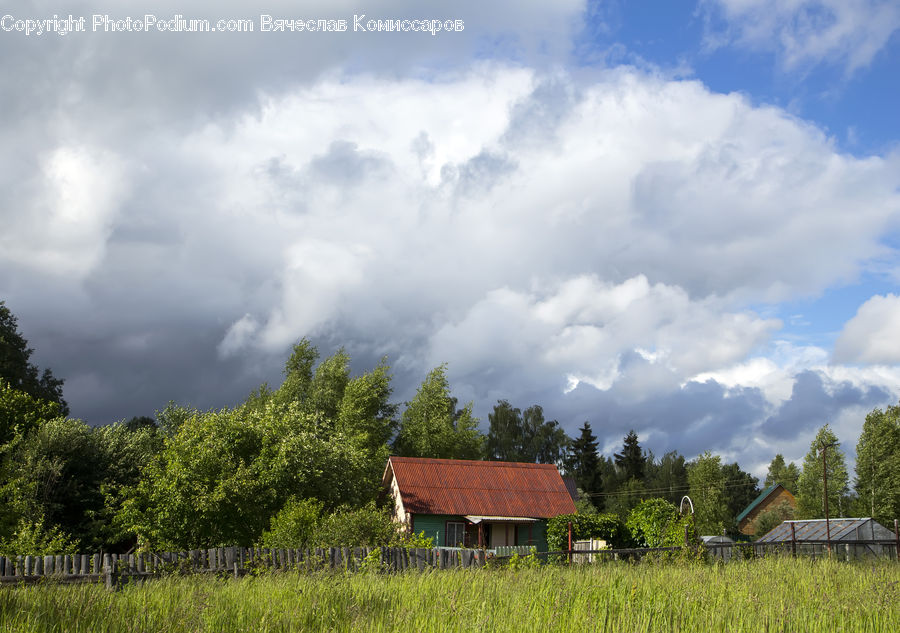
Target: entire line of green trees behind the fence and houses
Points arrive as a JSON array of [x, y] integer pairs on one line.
[[304, 461]]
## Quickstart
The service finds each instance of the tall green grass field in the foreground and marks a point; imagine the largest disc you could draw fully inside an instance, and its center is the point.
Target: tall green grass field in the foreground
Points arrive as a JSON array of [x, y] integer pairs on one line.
[[763, 595]]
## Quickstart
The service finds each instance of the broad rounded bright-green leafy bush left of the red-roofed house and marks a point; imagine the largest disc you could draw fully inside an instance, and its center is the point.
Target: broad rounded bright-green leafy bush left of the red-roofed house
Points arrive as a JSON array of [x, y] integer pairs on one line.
[[223, 474]]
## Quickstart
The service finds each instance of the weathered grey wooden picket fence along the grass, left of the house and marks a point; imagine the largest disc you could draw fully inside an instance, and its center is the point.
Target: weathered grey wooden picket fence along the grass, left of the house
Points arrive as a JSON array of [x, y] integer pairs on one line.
[[116, 568]]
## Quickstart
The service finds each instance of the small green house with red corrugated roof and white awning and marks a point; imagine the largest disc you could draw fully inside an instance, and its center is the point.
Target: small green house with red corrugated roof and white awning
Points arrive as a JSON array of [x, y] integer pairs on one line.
[[476, 504]]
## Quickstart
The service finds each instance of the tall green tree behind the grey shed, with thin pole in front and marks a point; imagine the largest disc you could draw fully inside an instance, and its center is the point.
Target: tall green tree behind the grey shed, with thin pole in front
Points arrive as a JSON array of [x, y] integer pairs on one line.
[[810, 499]]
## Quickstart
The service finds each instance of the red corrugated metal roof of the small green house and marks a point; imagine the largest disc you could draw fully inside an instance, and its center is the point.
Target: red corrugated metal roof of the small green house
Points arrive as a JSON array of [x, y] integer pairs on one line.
[[455, 486]]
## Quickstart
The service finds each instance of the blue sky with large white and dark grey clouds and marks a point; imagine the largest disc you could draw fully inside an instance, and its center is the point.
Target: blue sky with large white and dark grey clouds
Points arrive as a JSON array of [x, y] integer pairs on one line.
[[681, 218]]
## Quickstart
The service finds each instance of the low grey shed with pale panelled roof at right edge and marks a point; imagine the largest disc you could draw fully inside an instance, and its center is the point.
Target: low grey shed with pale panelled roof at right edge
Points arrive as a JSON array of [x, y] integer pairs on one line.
[[850, 538]]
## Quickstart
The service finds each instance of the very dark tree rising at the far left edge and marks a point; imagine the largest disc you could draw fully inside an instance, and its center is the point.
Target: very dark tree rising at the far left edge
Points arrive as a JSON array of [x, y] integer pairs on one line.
[[16, 368]]
